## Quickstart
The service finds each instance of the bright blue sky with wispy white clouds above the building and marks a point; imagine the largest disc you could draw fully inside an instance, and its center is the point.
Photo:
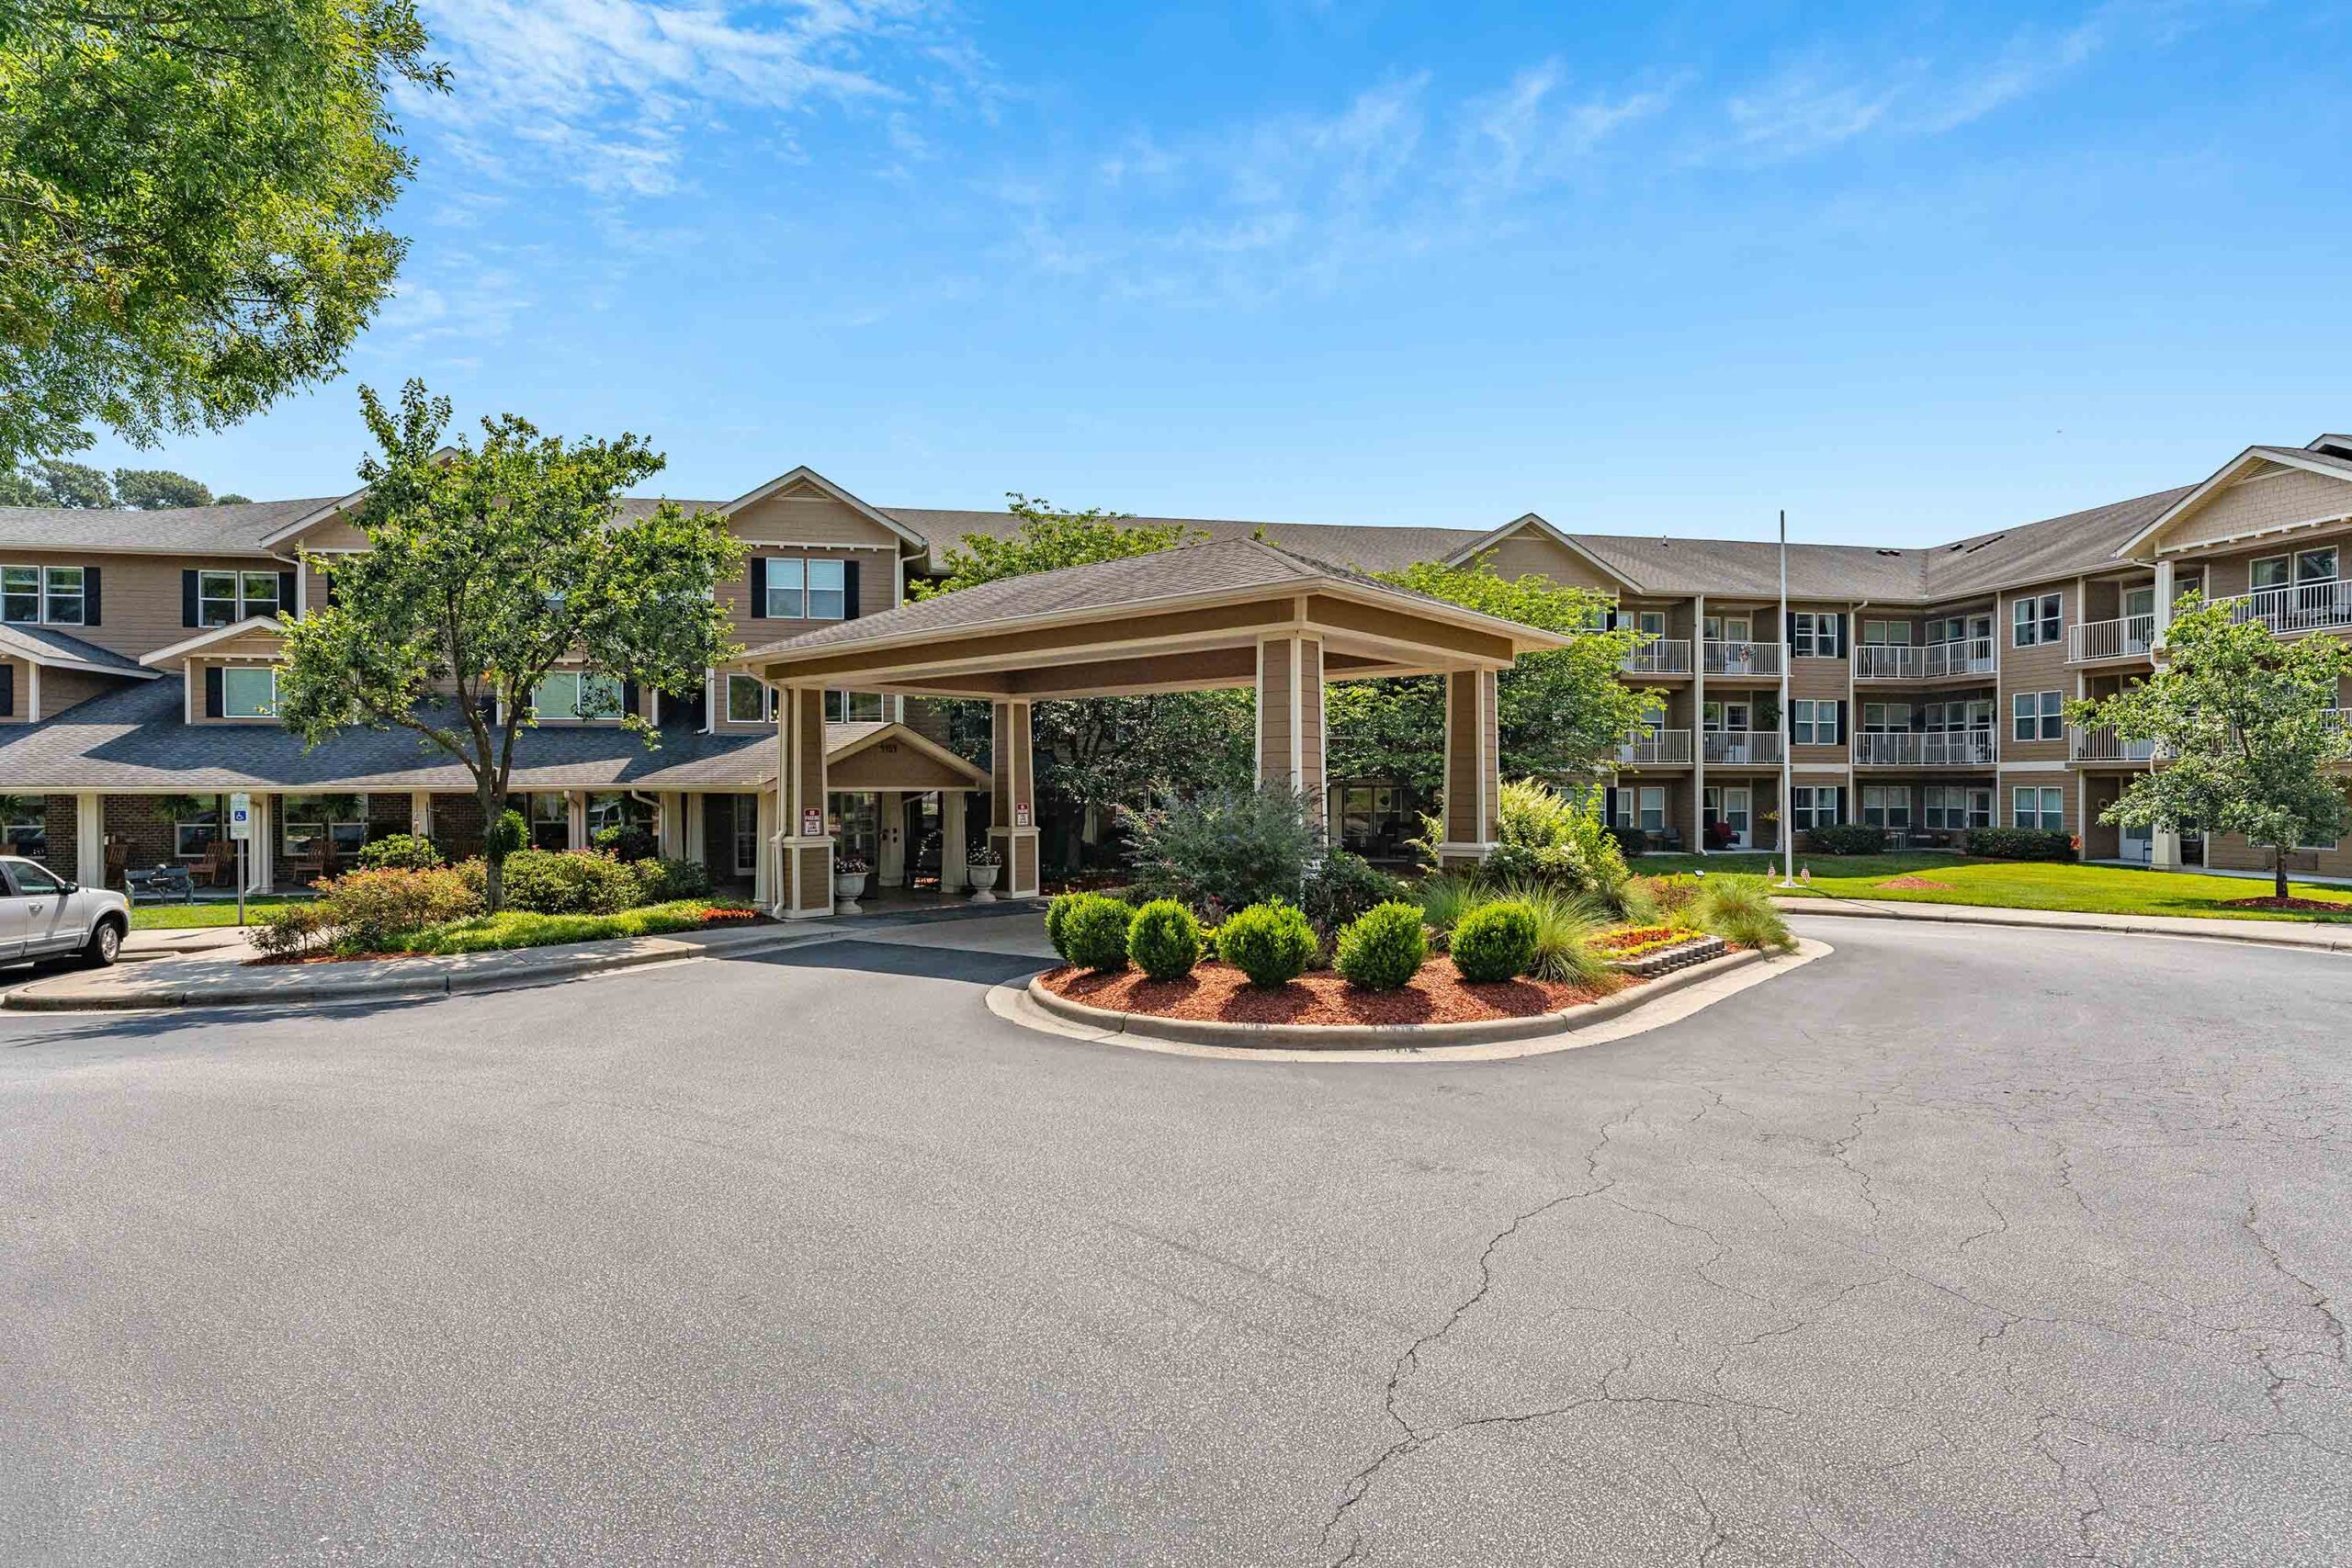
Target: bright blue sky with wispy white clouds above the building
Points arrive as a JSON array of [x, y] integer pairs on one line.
[[1906, 272]]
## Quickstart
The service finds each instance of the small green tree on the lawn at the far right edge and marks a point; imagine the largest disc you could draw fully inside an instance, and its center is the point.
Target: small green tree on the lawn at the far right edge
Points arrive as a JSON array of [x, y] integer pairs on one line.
[[2245, 735]]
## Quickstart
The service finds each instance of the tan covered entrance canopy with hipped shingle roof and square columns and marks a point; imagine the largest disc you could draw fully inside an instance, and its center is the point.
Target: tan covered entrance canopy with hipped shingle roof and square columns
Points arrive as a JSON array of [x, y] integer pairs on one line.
[[1201, 617]]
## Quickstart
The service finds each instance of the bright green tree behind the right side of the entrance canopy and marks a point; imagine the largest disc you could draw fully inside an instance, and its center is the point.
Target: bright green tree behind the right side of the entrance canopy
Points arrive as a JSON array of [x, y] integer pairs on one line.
[[1563, 716]]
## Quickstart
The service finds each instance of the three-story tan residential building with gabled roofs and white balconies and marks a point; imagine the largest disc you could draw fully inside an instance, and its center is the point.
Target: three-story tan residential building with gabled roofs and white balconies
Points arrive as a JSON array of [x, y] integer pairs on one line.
[[1925, 685]]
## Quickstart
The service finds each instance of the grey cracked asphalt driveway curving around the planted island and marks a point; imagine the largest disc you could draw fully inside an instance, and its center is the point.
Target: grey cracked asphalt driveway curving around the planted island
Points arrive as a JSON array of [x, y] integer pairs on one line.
[[1953, 1247]]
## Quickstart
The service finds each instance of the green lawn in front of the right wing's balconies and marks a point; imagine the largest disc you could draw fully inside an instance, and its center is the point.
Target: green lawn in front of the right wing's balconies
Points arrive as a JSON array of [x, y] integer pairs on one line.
[[2019, 885]]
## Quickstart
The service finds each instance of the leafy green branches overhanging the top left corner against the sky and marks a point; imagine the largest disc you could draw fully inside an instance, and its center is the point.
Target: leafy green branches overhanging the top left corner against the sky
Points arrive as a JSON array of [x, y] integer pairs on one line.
[[192, 206]]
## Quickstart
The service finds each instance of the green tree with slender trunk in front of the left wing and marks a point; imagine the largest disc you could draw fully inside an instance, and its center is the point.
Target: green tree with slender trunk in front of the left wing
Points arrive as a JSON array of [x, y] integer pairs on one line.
[[486, 570]]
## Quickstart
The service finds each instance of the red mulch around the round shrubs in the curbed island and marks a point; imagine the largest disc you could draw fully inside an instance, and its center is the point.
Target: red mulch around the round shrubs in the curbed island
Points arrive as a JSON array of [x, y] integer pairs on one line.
[[1224, 996]]
